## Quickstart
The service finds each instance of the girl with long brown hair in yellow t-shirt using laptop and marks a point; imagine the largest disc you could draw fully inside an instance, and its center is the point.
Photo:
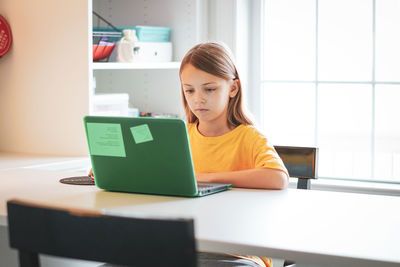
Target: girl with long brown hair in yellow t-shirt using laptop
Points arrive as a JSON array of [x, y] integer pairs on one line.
[[225, 145]]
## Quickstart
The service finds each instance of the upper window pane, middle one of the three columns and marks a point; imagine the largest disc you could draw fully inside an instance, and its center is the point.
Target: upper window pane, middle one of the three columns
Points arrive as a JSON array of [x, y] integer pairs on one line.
[[345, 40]]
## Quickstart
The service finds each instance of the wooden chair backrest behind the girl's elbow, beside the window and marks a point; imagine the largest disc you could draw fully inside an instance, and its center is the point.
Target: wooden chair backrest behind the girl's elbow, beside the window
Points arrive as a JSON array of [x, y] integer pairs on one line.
[[301, 162]]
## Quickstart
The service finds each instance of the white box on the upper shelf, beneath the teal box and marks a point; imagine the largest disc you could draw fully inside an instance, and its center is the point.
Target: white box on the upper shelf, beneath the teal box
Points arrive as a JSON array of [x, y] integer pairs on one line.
[[153, 52]]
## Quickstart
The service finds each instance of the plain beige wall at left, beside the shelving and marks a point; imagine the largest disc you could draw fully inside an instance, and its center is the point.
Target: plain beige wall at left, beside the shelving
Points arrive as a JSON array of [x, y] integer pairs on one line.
[[44, 79]]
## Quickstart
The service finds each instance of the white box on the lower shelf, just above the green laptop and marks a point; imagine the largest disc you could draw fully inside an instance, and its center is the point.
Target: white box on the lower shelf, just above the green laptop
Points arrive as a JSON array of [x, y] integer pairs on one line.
[[111, 104]]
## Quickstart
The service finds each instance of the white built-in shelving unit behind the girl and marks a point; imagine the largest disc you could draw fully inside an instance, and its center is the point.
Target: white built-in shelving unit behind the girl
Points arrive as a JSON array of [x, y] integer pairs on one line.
[[153, 86]]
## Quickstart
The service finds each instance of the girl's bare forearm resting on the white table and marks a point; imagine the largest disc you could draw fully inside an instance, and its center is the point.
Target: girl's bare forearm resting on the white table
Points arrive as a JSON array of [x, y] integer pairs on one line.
[[263, 178]]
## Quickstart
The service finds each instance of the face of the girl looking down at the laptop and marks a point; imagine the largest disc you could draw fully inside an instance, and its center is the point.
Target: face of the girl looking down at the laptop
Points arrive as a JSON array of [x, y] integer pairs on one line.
[[207, 95]]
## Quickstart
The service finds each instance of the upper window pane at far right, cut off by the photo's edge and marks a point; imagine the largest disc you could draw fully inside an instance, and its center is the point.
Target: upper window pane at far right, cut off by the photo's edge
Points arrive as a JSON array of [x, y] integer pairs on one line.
[[387, 40]]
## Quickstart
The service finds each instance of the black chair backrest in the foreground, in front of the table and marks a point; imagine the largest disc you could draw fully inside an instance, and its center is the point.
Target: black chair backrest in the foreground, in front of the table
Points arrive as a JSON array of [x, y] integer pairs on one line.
[[92, 236]]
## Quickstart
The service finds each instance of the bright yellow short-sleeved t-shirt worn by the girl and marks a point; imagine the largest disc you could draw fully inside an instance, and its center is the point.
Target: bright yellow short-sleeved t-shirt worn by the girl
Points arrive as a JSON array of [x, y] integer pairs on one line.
[[243, 148]]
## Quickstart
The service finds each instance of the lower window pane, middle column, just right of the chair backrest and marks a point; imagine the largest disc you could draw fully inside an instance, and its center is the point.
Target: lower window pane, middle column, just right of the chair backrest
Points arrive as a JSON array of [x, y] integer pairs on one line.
[[344, 130]]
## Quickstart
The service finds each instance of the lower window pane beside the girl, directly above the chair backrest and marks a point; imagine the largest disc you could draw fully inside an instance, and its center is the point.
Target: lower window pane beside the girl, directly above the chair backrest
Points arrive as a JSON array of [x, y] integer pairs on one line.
[[289, 113]]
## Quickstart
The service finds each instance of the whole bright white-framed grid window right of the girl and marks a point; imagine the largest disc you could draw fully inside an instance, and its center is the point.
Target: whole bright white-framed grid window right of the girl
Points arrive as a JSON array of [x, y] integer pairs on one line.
[[331, 79]]
